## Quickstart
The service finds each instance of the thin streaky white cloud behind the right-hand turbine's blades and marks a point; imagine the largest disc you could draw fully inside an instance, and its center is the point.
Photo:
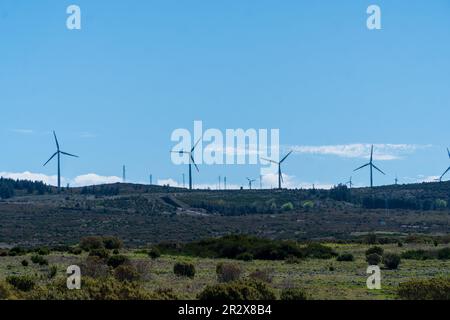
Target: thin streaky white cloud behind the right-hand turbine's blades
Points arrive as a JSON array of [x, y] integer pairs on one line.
[[358, 150]]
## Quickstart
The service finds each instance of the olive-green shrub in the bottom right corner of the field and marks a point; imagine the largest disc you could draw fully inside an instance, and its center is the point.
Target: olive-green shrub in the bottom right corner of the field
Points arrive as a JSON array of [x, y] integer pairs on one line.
[[431, 289]]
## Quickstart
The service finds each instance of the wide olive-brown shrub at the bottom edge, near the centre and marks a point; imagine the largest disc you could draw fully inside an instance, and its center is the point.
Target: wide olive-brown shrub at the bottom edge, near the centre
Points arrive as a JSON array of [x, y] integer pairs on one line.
[[242, 290]]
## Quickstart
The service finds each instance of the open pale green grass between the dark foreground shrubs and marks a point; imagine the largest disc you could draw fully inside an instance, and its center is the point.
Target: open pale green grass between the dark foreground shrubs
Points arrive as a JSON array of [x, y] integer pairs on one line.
[[344, 280]]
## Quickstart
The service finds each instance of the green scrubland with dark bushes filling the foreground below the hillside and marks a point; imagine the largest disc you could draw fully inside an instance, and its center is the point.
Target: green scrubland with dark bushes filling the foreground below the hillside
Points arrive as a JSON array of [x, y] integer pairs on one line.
[[111, 272]]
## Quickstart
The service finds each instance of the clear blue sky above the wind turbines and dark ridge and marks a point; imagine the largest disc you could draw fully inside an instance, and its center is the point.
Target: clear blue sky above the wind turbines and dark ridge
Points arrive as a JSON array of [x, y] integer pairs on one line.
[[115, 90]]
